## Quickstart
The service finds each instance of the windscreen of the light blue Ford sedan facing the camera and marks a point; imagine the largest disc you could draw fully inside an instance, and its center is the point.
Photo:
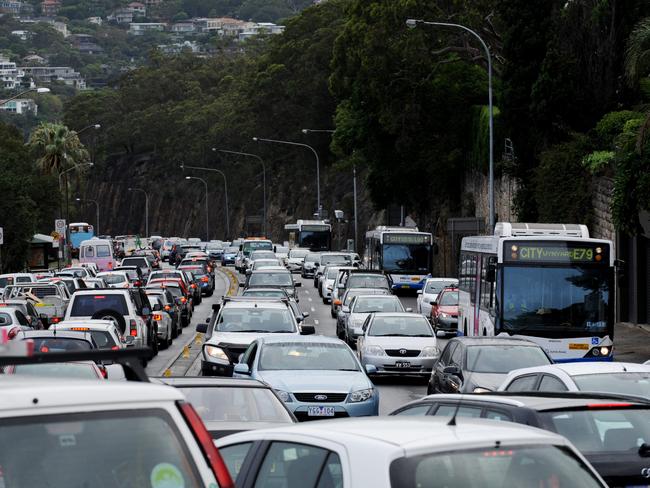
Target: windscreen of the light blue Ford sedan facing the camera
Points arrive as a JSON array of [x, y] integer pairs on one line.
[[307, 356]]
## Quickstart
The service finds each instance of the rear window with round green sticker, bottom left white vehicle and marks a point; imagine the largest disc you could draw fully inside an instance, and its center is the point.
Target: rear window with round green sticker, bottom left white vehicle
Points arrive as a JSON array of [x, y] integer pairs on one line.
[[125, 448]]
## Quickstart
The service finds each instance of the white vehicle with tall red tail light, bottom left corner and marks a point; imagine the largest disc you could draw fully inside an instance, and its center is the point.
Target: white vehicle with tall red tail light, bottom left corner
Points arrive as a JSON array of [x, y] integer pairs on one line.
[[92, 433]]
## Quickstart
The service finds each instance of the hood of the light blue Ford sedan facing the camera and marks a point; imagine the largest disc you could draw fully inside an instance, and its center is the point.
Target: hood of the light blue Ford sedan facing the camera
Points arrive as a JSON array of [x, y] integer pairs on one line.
[[316, 381]]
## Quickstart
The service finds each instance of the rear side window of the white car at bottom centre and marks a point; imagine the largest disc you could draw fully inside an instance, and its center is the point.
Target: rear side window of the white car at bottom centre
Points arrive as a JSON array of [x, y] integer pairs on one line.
[[288, 465]]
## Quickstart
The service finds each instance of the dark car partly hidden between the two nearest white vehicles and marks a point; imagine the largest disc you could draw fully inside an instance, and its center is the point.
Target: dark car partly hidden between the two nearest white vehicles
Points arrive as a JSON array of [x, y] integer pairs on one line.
[[230, 405]]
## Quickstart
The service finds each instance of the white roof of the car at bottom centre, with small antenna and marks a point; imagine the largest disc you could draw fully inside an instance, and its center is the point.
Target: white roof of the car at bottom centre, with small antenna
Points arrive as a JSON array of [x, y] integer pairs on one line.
[[409, 436]]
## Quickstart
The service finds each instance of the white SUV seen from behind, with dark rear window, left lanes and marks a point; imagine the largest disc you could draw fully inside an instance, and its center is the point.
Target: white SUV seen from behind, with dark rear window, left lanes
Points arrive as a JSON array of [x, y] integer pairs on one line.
[[128, 308]]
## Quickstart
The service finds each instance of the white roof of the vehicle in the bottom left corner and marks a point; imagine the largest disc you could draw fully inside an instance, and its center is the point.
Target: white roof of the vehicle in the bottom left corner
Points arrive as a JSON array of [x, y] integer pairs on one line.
[[27, 394]]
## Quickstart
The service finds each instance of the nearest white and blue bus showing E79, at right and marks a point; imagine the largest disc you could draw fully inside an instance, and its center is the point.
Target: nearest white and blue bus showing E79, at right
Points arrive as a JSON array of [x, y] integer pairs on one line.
[[548, 283]]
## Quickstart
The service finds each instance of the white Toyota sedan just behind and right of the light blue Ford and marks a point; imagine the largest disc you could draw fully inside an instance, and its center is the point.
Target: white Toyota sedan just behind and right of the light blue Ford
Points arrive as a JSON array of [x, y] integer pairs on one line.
[[397, 343]]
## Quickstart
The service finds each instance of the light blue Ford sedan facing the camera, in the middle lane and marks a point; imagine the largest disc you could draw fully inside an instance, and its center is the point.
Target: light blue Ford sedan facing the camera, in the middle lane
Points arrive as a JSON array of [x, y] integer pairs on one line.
[[316, 377]]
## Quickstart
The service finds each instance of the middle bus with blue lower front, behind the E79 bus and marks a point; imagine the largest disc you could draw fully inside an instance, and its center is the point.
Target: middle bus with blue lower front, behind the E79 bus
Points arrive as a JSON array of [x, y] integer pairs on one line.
[[404, 253]]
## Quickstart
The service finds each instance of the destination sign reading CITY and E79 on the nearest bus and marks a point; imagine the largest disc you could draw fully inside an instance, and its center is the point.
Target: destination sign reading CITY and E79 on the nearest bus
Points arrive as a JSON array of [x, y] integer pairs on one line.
[[555, 252]]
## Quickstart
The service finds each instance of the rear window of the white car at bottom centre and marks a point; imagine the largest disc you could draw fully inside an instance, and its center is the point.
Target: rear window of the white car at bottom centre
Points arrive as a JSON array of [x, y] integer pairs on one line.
[[511, 467]]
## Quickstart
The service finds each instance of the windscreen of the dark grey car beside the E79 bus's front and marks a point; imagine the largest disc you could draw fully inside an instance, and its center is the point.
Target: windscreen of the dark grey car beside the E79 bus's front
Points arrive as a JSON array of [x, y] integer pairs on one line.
[[504, 358]]
